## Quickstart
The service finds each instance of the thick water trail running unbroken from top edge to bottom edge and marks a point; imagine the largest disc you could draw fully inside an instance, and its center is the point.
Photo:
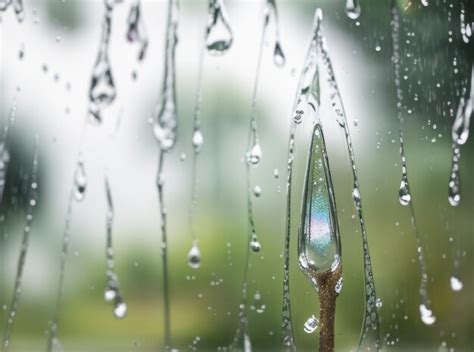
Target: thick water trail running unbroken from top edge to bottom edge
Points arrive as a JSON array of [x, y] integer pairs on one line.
[[164, 128]]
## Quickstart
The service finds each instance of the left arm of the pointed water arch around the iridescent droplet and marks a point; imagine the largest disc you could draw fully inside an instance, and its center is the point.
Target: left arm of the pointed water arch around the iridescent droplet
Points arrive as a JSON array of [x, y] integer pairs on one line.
[[307, 96]]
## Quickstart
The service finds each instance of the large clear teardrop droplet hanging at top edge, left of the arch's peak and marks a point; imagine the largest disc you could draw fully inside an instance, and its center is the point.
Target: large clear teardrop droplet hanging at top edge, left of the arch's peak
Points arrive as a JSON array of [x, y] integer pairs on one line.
[[219, 35]]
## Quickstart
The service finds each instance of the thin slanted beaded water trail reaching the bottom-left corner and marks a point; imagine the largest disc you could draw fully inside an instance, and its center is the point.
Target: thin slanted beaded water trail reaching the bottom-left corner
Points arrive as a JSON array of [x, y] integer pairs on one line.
[[32, 201]]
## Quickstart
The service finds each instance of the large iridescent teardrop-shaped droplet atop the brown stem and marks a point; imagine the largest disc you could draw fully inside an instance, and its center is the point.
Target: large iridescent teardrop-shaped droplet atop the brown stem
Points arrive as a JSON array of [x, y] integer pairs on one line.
[[319, 247]]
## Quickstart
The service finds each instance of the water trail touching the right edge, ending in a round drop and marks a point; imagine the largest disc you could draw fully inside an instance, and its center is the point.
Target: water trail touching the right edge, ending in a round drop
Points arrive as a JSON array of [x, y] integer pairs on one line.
[[460, 135]]
